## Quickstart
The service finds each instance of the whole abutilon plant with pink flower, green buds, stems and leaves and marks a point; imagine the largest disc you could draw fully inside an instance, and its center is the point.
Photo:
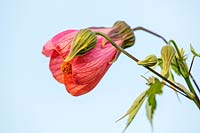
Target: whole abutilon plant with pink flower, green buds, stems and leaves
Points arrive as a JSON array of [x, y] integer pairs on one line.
[[80, 58]]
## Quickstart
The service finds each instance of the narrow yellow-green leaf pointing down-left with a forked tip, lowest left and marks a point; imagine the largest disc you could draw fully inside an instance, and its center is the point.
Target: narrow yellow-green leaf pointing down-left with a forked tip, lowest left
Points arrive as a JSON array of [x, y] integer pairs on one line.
[[131, 113]]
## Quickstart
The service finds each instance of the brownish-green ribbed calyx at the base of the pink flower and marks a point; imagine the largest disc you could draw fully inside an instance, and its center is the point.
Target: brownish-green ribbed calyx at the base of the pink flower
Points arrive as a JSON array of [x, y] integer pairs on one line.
[[123, 31]]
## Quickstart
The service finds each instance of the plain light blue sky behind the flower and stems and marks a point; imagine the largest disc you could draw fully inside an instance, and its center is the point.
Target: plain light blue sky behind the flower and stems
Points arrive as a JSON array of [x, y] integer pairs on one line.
[[31, 101]]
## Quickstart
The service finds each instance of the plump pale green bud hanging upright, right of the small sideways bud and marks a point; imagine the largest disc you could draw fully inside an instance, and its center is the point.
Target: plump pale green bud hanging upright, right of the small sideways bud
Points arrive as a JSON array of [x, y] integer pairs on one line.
[[167, 54]]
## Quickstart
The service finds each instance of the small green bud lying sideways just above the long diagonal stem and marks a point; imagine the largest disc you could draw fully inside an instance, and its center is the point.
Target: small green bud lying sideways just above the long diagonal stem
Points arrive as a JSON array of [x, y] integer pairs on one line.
[[149, 61]]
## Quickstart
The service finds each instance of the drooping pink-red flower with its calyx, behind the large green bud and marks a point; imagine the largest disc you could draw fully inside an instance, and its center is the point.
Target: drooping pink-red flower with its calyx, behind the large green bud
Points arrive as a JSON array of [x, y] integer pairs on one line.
[[83, 72]]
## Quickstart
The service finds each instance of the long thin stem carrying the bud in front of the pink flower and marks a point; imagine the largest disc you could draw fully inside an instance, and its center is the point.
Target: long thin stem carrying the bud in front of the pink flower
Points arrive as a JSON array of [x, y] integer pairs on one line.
[[178, 89]]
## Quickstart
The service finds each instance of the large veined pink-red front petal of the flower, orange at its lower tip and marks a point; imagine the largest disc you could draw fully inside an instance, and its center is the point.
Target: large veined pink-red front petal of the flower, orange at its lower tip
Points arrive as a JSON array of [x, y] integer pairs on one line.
[[88, 69]]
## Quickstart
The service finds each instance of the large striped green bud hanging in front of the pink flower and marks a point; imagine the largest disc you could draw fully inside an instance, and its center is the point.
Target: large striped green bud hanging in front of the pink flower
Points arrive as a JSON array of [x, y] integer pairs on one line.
[[84, 41]]
